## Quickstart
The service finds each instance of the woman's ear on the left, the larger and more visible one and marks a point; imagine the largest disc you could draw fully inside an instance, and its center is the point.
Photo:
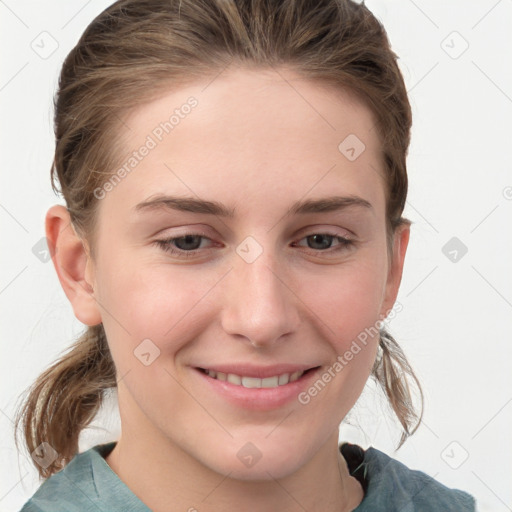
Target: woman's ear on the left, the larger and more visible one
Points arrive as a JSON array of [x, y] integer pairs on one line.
[[72, 264]]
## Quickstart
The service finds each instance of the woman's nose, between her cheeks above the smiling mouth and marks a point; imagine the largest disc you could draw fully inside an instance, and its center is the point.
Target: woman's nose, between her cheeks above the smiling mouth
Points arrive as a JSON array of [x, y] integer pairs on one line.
[[258, 302]]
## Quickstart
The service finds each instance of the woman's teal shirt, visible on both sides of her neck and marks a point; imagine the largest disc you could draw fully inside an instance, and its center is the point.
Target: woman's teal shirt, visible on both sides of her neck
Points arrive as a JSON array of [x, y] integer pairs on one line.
[[88, 484]]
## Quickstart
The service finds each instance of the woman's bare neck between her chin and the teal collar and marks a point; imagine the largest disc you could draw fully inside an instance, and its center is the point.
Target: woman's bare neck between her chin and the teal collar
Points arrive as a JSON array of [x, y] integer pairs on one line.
[[167, 479]]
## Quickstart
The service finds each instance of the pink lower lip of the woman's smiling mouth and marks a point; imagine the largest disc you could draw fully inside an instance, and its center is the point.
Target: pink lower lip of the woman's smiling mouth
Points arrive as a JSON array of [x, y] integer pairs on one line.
[[259, 399]]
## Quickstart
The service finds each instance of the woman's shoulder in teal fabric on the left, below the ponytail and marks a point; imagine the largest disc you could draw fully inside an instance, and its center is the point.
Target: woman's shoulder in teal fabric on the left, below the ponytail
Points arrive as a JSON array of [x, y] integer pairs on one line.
[[71, 489]]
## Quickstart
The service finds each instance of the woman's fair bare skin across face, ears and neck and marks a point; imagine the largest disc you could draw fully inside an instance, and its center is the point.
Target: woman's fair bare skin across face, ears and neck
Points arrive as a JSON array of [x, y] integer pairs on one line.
[[257, 146]]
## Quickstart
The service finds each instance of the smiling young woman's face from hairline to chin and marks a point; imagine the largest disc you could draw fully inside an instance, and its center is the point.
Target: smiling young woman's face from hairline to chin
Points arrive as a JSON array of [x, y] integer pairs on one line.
[[259, 281]]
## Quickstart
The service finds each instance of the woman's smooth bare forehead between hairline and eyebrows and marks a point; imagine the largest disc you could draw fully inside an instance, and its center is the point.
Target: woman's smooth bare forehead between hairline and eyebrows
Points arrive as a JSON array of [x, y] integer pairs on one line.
[[250, 132]]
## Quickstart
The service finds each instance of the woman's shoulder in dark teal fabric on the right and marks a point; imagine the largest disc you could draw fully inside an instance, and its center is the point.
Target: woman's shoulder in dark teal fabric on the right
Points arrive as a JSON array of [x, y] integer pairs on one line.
[[391, 485]]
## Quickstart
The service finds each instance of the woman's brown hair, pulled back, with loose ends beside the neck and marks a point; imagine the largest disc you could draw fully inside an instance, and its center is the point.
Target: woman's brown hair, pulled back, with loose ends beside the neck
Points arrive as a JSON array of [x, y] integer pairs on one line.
[[136, 49]]
